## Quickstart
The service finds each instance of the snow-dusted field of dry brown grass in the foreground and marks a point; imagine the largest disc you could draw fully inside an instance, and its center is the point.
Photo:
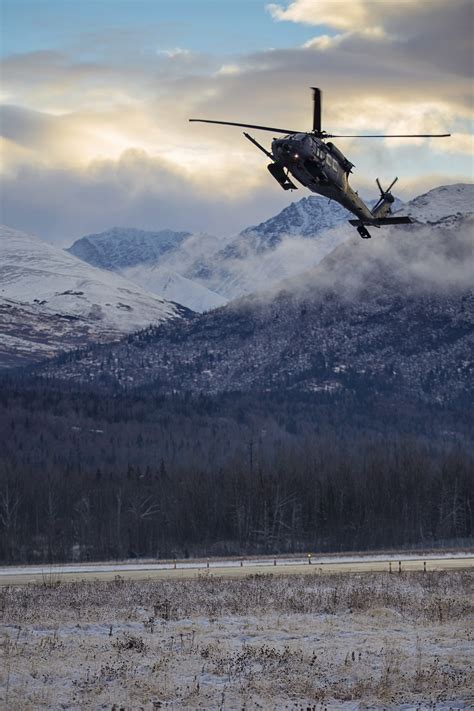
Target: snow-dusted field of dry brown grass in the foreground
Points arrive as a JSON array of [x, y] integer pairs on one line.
[[347, 642]]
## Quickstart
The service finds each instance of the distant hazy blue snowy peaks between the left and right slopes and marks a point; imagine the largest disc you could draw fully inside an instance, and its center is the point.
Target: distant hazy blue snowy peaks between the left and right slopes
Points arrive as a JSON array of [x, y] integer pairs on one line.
[[203, 272]]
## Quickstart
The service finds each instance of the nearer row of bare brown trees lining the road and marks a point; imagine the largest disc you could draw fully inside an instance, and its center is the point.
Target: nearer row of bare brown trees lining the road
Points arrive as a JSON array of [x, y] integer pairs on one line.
[[321, 498]]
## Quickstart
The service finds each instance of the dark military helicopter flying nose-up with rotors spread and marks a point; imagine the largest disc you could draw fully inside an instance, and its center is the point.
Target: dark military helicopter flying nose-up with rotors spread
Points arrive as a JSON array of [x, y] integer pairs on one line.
[[317, 164]]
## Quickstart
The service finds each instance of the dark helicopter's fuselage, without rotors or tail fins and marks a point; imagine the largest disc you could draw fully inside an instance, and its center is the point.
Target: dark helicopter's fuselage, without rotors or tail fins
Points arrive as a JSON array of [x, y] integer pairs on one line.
[[320, 167]]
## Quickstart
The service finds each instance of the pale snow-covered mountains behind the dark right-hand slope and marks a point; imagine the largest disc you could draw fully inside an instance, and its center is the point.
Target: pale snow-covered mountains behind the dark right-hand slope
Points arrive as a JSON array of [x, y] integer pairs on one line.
[[106, 285]]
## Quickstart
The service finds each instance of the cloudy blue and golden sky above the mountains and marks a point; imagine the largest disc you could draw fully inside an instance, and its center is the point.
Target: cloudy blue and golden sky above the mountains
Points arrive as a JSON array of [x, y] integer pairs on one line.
[[96, 96]]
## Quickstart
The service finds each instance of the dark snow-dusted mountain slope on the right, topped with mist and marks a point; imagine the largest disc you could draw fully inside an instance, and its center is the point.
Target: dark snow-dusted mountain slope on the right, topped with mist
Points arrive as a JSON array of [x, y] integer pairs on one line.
[[394, 313]]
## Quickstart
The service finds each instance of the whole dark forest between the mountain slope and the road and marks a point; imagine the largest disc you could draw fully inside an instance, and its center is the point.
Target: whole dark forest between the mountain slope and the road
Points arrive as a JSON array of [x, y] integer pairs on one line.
[[106, 474]]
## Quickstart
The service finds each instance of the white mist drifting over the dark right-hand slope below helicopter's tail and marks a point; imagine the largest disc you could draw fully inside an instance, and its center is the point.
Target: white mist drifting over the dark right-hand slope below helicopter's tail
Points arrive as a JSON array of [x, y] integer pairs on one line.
[[415, 259]]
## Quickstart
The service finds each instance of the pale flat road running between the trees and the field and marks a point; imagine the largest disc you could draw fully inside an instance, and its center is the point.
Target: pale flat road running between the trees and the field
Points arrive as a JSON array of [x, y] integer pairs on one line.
[[232, 568]]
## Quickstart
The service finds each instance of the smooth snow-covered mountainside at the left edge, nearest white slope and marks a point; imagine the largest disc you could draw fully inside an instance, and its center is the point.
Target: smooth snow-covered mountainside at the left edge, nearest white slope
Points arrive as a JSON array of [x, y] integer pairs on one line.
[[51, 301]]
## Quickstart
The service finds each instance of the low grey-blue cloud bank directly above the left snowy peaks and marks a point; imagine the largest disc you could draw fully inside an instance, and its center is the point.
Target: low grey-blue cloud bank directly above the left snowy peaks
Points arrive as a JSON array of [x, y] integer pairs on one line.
[[136, 190]]
